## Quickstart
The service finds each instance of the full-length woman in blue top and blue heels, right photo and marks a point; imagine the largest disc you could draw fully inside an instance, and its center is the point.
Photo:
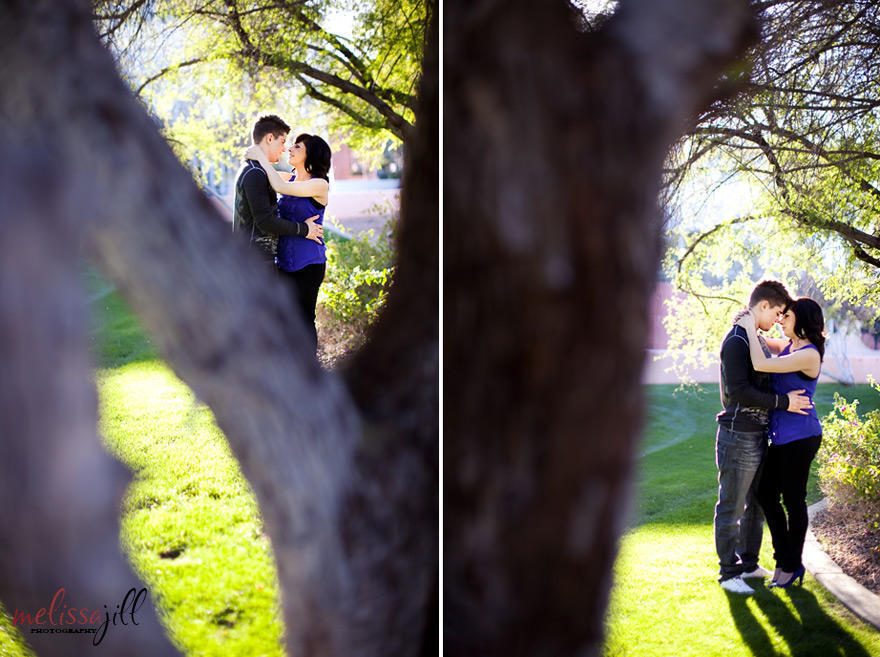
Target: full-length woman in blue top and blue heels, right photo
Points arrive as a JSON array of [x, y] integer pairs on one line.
[[794, 437]]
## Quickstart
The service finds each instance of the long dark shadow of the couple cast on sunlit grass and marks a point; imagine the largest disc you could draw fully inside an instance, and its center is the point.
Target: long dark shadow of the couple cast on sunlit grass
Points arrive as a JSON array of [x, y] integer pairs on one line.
[[811, 632]]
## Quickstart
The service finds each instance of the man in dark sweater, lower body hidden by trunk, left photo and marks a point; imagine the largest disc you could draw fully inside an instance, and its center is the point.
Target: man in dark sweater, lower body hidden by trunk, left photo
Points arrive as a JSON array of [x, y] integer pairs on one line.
[[256, 203]]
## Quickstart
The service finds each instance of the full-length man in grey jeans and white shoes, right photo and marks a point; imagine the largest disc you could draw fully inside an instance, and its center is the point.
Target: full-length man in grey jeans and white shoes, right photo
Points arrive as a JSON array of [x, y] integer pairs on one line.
[[747, 397]]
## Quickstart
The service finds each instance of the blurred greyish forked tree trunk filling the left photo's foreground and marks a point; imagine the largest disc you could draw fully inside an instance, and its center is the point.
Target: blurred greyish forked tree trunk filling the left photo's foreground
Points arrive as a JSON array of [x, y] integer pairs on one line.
[[347, 489]]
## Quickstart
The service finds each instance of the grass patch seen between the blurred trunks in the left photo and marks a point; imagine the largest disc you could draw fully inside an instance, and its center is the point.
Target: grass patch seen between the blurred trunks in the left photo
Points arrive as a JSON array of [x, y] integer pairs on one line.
[[190, 524]]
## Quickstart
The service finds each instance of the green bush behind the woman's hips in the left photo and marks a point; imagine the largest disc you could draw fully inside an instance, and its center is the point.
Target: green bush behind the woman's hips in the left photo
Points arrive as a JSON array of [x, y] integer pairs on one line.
[[359, 272]]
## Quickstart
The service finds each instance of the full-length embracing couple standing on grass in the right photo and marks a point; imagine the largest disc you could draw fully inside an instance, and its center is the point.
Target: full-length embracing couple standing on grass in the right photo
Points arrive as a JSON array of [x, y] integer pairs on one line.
[[767, 388]]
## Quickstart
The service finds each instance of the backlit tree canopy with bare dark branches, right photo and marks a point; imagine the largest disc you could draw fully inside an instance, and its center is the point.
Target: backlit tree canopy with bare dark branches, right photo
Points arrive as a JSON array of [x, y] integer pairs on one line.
[[797, 128]]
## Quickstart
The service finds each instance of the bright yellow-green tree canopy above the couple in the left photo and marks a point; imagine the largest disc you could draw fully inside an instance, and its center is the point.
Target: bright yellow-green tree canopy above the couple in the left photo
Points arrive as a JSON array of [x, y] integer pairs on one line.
[[207, 67]]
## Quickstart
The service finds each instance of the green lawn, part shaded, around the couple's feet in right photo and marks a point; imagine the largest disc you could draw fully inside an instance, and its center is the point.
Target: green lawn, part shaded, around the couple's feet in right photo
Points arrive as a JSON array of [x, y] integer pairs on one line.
[[665, 600]]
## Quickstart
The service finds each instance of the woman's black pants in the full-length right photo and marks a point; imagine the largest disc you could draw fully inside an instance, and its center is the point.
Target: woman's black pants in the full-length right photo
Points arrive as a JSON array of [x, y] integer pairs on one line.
[[785, 473]]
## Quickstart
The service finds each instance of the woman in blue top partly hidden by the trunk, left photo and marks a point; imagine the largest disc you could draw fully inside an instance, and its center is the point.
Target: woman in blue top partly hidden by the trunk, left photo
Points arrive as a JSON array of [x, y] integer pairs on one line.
[[302, 261]]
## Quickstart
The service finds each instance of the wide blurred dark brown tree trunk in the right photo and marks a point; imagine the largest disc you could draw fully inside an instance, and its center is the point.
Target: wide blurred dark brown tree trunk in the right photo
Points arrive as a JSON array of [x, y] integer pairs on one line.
[[554, 141]]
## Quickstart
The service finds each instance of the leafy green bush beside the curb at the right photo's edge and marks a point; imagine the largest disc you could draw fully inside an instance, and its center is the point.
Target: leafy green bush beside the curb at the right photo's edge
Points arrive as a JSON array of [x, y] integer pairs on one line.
[[849, 459]]
